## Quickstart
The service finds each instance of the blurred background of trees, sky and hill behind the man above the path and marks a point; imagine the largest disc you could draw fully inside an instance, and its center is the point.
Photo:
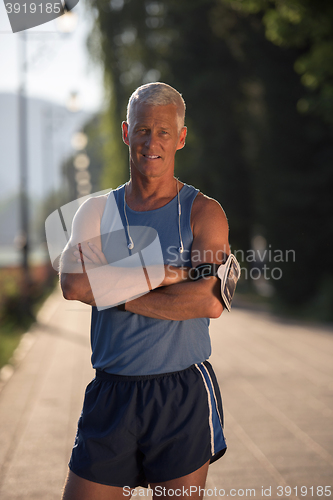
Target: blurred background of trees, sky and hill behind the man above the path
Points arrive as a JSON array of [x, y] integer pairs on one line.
[[257, 77]]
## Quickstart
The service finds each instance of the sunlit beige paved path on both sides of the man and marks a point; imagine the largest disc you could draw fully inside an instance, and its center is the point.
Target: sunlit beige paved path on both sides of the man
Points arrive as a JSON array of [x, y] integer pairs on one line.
[[276, 380]]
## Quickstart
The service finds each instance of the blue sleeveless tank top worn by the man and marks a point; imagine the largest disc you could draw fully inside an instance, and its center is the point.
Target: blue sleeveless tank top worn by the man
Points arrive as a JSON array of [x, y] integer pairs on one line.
[[130, 344]]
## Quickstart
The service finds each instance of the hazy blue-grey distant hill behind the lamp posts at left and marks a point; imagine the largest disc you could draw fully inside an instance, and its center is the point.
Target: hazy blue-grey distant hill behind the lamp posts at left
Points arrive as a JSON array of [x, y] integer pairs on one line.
[[50, 128]]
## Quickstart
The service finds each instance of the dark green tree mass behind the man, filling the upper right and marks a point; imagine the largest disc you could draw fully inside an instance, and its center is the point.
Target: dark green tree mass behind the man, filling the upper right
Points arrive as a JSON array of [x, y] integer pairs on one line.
[[258, 113]]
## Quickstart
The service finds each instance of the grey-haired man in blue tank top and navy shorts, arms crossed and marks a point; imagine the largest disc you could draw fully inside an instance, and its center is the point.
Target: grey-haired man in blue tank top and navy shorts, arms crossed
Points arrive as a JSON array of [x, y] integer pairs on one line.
[[153, 414]]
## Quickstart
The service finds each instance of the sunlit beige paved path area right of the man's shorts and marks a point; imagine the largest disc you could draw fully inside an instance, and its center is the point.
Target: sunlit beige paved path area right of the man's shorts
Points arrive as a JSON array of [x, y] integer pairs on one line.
[[277, 384]]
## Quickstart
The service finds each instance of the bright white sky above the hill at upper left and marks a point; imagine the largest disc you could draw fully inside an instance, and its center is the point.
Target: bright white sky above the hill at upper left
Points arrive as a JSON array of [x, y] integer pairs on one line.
[[58, 63]]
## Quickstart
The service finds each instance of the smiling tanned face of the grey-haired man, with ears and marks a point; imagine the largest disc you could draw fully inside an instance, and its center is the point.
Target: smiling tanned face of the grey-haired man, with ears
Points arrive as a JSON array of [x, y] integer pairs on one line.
[[153, 139]]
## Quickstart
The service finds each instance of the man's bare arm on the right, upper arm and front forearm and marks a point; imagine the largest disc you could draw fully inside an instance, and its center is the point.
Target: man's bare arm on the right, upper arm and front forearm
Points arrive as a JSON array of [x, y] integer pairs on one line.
[[200, 298]]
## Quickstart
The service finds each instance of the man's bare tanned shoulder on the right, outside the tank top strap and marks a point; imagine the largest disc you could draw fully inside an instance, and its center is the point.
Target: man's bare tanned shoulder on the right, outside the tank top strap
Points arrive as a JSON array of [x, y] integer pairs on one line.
[[207, 212]]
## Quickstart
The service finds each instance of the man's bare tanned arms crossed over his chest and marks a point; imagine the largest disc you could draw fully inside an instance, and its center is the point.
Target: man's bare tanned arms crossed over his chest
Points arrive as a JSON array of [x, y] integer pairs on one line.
[[176, 298]]
